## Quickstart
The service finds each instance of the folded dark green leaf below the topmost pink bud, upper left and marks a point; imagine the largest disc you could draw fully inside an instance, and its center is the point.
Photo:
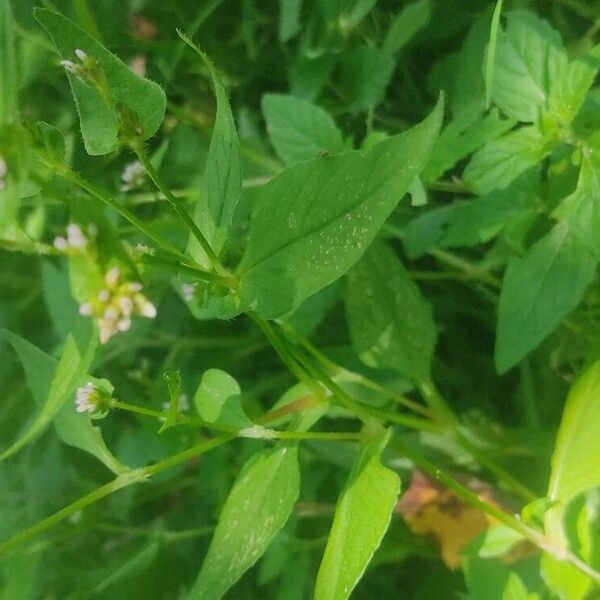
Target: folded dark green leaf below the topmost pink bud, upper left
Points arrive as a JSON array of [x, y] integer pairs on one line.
[[101, 112]]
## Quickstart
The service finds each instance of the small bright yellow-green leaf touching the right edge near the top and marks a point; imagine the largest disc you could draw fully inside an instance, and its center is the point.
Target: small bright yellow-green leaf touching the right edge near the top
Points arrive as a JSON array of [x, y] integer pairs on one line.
[[570, 88]]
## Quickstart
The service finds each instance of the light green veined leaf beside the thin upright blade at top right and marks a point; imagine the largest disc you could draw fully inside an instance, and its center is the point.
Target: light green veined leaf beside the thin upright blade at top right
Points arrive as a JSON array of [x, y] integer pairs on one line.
[[529, 59]]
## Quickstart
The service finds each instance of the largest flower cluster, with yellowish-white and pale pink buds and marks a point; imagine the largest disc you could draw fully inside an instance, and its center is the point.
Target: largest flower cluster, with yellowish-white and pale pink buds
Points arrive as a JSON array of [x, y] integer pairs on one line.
[[116, 304]]
